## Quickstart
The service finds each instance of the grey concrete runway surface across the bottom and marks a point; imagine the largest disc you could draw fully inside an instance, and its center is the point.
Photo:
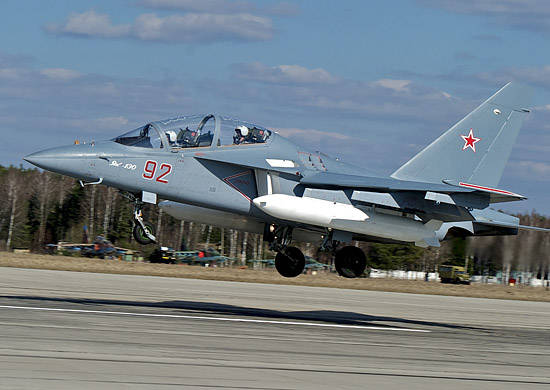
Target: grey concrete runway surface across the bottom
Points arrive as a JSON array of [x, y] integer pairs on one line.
[[67, 330]]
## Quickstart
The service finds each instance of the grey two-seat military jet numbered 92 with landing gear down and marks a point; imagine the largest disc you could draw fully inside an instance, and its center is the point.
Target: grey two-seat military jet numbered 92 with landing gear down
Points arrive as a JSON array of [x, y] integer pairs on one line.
[[223, 171]]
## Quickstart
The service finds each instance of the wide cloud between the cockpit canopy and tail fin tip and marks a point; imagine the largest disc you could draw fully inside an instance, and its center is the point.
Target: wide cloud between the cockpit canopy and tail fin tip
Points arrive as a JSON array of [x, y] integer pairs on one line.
[[317, 90]]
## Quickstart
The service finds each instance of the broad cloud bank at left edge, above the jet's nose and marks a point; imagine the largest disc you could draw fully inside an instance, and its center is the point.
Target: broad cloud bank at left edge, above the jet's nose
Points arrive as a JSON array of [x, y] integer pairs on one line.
[[89, 104]]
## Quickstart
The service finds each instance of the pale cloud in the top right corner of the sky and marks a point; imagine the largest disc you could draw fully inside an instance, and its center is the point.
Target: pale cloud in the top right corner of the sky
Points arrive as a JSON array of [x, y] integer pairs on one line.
[[531, 15]]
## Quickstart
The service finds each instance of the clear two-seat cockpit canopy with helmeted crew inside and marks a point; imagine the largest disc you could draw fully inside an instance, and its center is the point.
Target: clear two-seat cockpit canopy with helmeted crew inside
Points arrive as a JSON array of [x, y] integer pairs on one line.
[[195, 131]]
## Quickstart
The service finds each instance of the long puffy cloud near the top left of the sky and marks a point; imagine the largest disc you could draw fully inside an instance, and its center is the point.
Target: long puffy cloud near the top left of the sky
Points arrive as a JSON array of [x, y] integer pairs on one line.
[[187, 28]]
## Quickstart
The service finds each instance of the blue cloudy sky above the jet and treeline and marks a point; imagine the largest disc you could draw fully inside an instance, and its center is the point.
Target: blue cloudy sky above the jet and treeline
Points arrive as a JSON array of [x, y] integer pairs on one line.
[[371, 83]]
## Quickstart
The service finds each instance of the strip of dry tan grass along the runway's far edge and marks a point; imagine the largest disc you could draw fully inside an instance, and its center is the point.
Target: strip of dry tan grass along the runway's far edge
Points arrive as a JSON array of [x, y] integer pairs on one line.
[[64, 263]]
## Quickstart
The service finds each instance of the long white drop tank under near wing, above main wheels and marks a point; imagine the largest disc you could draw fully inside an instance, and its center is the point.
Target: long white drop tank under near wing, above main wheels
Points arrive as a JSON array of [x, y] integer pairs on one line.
[[346, 217]]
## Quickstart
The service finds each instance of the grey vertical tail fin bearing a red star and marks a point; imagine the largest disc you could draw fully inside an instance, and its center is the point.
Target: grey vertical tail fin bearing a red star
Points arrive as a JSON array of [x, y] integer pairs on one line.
[[477, 148]]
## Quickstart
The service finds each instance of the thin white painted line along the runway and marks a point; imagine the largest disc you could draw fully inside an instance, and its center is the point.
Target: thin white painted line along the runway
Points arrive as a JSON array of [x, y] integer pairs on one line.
[[206, 318]]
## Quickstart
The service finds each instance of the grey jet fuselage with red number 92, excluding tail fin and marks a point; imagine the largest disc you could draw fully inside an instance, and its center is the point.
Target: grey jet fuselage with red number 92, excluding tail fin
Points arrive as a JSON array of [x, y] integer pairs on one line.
[[227, 177]]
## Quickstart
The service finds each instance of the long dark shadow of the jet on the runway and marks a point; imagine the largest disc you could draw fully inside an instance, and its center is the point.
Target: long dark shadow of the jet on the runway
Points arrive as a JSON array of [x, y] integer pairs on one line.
[[209, 308]]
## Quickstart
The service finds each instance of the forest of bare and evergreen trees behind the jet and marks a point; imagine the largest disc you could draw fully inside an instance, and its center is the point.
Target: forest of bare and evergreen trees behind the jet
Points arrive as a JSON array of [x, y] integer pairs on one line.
[[40, 207]]
